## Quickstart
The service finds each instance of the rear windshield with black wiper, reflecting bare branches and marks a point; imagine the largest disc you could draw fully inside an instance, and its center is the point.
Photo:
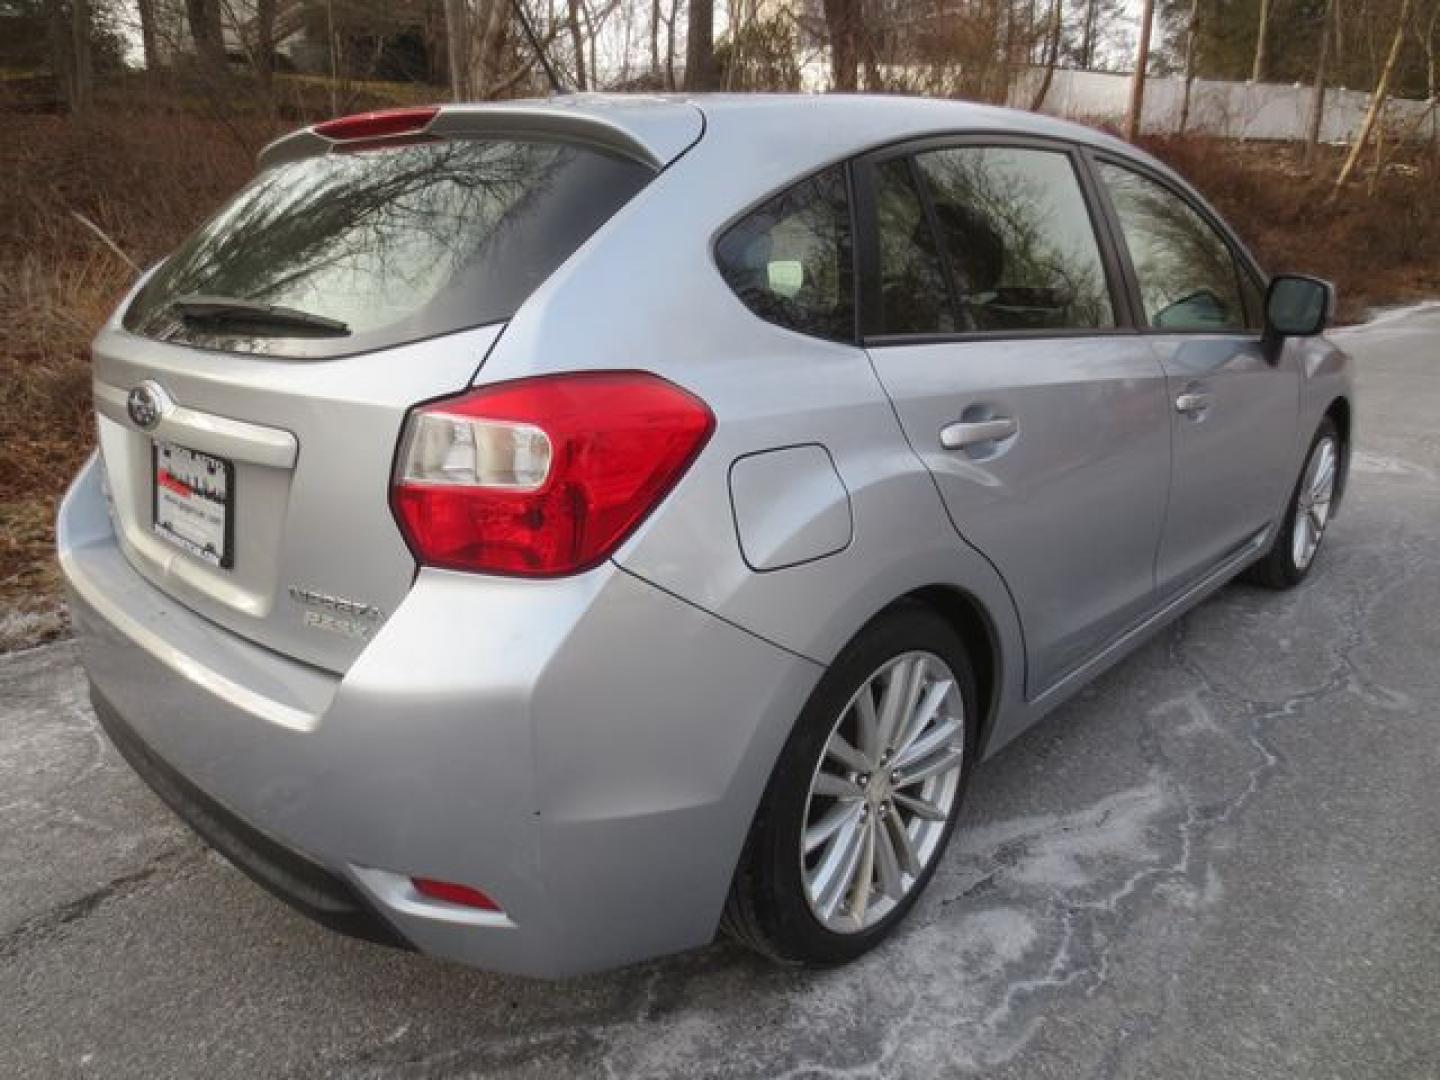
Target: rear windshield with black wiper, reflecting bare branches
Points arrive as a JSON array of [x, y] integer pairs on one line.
[[395, 244]]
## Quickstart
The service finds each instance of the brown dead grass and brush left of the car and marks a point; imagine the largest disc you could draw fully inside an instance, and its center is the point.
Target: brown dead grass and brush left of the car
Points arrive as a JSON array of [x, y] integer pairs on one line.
[[146, 179]]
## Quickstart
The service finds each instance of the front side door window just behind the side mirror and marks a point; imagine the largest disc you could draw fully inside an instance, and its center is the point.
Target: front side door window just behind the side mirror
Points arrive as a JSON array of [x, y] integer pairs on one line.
[[1187, 274]]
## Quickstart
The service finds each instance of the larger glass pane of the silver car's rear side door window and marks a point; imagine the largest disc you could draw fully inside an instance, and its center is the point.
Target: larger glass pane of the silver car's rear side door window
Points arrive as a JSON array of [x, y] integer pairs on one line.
[[1017, 238]]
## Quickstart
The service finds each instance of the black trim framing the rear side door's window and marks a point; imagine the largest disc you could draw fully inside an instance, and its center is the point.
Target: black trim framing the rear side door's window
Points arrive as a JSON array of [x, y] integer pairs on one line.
[[868, 240]]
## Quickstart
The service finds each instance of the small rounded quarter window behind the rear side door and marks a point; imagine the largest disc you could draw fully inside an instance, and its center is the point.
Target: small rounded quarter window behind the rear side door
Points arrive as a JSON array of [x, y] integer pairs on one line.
[[790, 261]]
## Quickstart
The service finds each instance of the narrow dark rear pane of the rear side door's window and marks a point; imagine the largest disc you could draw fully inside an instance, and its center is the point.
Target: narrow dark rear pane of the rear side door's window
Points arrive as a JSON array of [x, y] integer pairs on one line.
[[914, 296]]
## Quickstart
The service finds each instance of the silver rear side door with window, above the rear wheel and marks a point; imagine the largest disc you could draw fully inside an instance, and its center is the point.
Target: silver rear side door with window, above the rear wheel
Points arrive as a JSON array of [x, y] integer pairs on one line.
[[996, 320]]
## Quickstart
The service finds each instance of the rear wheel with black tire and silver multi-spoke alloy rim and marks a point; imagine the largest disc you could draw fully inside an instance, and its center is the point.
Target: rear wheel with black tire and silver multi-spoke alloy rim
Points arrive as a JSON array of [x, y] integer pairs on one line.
[[882, 774]]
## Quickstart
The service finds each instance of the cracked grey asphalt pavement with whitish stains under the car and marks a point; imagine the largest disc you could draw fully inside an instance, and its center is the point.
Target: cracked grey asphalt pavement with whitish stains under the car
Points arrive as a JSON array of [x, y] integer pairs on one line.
[[1220, 860]]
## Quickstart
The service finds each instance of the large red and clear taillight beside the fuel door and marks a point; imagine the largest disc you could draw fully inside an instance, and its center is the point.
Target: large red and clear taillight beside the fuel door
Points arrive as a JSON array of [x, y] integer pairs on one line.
[[542, 477]]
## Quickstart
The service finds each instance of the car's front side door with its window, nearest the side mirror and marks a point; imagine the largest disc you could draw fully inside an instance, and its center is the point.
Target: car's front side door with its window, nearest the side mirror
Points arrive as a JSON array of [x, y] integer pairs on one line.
[[1233, 407]]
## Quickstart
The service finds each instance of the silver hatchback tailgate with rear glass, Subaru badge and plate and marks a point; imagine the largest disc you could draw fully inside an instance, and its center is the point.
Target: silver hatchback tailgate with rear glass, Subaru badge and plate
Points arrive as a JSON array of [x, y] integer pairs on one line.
[[248, 456]]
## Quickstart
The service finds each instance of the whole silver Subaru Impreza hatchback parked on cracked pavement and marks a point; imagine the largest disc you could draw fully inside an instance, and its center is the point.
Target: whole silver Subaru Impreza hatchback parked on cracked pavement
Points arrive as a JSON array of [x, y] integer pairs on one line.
[[544, 535]]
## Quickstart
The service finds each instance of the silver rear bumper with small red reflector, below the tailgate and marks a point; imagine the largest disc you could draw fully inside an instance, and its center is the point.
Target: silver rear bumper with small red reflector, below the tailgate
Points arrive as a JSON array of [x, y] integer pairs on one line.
[[590, 752]]
